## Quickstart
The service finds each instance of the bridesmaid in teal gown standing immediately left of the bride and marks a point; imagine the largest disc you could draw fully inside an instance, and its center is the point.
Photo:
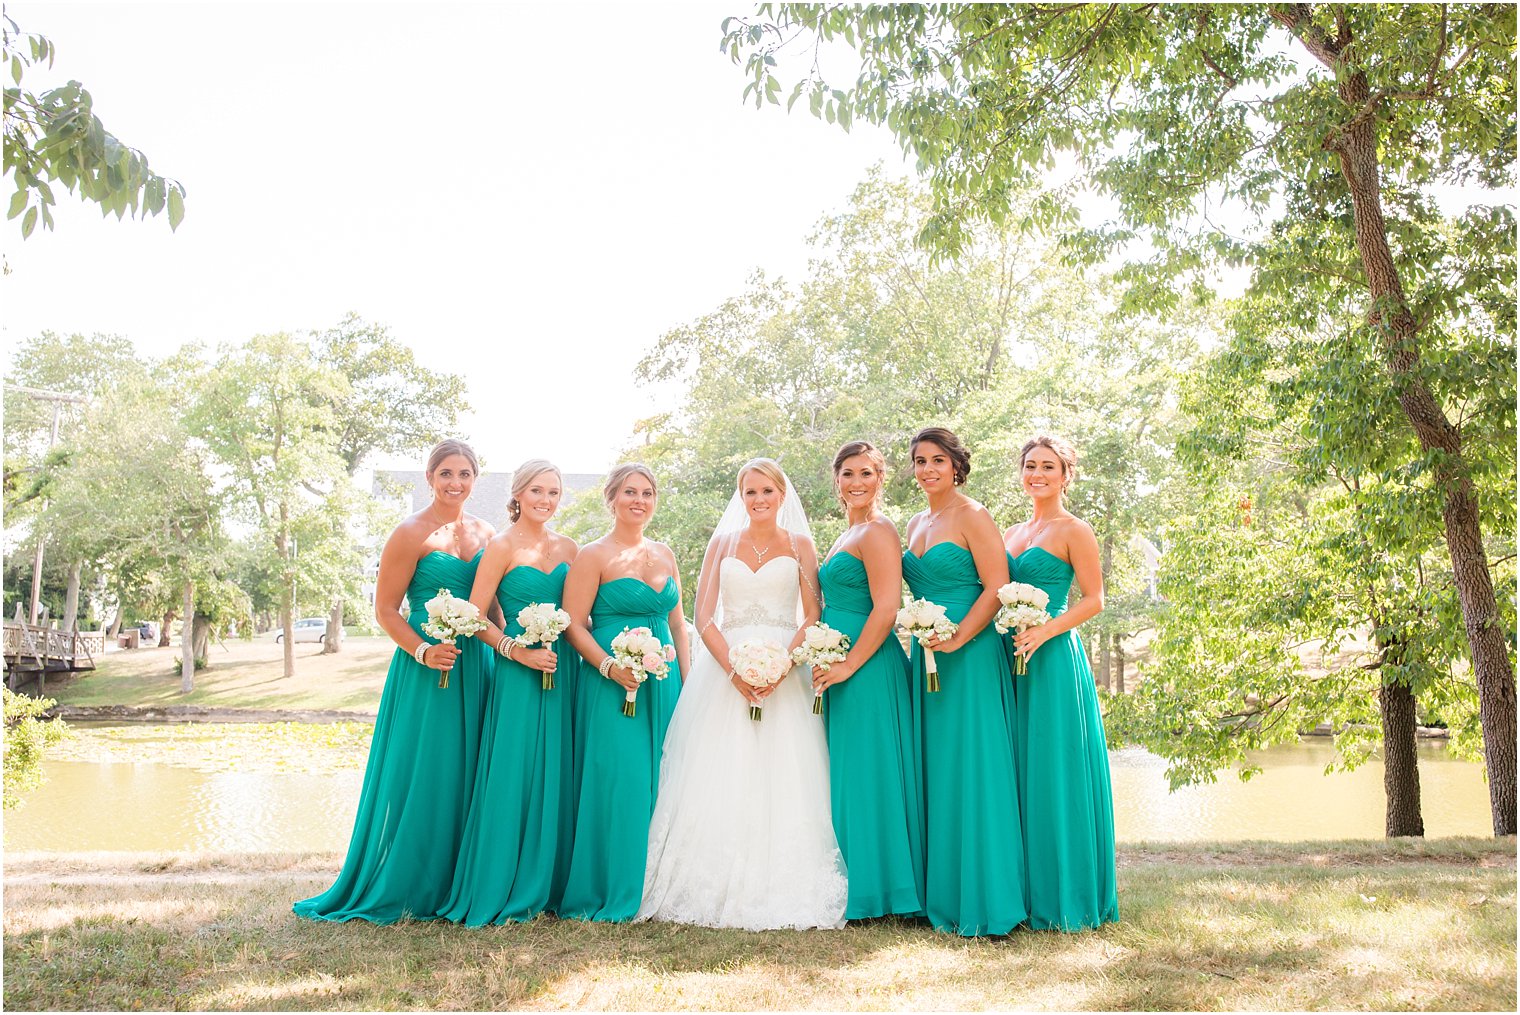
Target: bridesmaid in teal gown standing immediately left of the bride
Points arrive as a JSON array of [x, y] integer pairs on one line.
[[621, 581]]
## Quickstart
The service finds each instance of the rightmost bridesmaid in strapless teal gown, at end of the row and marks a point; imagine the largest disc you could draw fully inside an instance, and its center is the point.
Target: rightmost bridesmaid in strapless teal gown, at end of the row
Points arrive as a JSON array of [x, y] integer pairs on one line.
[[1065, 797]]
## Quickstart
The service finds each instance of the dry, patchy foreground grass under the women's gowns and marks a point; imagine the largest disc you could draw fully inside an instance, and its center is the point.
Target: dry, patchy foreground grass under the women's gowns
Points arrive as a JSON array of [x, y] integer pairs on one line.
[[1253, 926]]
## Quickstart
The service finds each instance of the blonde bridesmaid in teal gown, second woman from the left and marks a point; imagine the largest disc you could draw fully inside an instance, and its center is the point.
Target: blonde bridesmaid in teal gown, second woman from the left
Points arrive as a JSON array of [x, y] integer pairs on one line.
[[513, 832]]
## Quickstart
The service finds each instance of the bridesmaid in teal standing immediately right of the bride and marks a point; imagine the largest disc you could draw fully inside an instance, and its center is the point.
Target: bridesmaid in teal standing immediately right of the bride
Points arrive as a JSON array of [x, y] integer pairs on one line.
[[867, 707]]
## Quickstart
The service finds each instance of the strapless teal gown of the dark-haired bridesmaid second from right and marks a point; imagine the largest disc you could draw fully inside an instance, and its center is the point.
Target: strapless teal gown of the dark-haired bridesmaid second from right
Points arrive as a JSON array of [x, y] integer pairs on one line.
[[974, 859]]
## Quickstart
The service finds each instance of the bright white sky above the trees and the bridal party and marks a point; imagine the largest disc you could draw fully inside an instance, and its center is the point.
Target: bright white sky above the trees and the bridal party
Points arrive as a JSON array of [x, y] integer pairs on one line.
[[527, 195]]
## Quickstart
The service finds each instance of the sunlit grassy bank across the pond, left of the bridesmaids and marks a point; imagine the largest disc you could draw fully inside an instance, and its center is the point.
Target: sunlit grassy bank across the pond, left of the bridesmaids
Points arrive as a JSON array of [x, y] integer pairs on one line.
[[241, 675]]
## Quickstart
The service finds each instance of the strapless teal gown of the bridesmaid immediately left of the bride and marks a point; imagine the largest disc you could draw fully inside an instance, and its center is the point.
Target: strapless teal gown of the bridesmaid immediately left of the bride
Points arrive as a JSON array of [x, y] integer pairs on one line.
[[618, 760]]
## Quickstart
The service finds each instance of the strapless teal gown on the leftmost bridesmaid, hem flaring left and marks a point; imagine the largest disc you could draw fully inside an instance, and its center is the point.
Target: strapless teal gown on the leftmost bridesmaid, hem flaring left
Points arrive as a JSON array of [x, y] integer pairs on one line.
[[420, 774]]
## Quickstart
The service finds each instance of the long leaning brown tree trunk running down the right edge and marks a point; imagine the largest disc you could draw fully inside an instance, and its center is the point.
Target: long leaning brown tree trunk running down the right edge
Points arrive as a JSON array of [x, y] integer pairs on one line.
[[1355, 144]]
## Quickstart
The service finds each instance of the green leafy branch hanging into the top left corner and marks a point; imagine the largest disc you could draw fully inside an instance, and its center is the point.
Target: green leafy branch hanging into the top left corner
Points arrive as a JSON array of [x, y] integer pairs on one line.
[[57, 139]]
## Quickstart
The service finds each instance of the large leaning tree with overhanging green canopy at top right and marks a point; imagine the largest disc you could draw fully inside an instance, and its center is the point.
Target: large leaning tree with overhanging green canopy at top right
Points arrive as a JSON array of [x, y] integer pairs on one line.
[[1332, 124]]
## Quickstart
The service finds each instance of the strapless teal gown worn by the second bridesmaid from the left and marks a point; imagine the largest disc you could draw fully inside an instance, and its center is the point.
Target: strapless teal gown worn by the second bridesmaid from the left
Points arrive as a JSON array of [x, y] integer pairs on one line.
[[507, 862]]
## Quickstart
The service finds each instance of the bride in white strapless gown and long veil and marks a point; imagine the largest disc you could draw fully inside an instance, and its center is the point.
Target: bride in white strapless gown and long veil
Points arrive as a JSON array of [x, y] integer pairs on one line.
[[743, 833]]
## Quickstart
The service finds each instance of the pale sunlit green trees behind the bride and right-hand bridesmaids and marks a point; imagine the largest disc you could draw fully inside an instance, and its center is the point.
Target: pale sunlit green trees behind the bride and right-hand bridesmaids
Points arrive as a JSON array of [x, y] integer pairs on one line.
[[881, 341]]
